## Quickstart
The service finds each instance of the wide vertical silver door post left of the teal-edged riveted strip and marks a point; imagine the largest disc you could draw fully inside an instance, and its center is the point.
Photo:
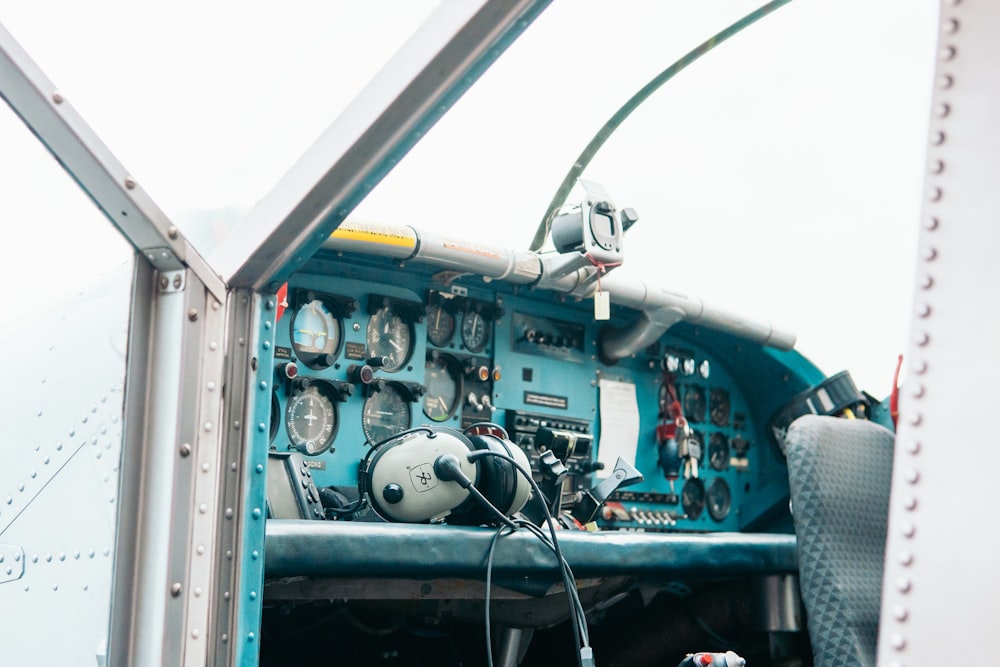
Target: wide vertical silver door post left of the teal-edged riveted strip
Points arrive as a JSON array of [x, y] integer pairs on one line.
[[170, 465]]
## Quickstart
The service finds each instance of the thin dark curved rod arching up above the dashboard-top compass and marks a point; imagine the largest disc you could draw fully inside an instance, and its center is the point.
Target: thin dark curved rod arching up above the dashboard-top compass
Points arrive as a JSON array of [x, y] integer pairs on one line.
[[626, 110]]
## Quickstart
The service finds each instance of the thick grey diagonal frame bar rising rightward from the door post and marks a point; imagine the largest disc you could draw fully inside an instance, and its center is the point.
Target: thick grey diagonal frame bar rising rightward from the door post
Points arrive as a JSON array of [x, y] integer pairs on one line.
[[439, 63]]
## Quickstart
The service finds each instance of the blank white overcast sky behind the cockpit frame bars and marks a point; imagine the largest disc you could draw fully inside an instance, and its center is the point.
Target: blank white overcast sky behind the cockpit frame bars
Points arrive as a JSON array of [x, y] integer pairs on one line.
[[779, 176]]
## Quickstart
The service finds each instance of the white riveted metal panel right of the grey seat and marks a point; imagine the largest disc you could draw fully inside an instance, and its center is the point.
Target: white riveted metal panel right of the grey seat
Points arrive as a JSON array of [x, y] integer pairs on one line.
[[940, 589]]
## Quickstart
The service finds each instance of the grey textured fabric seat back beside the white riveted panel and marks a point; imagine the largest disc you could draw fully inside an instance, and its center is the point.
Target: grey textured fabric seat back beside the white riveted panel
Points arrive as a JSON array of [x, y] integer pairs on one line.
[[839, 474]]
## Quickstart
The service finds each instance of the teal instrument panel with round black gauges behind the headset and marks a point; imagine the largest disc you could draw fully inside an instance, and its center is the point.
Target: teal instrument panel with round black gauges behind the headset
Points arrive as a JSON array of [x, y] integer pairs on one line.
[[361, 359]]
